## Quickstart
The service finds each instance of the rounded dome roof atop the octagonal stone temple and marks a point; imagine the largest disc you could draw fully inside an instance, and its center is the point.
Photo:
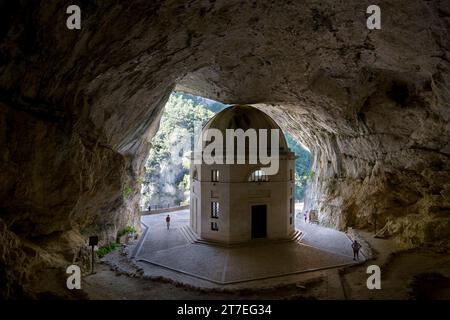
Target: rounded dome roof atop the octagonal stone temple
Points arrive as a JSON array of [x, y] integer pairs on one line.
[[245, 117]]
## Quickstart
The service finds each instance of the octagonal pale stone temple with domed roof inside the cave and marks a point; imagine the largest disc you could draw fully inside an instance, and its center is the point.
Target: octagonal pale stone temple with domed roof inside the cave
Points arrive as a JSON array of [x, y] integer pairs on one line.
[[237, 202]]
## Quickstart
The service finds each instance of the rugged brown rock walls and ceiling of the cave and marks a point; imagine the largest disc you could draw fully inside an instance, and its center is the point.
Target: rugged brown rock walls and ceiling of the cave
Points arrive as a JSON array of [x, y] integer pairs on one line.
[[79, 108]]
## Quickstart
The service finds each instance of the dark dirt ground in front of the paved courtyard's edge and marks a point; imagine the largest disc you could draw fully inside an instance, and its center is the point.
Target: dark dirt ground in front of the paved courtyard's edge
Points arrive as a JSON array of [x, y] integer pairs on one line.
[[420, 273]]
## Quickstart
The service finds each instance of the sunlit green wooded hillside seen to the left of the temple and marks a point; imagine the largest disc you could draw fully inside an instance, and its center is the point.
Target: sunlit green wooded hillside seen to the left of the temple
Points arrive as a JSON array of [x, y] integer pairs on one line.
[[166, 179]]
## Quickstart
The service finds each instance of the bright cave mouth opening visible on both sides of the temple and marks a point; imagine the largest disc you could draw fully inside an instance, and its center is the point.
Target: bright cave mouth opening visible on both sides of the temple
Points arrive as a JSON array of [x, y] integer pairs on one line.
[[165, 182]]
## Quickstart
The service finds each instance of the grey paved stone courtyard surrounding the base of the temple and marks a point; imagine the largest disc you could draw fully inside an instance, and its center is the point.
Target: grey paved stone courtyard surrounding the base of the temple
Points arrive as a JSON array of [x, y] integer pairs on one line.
[[320, 248]]
